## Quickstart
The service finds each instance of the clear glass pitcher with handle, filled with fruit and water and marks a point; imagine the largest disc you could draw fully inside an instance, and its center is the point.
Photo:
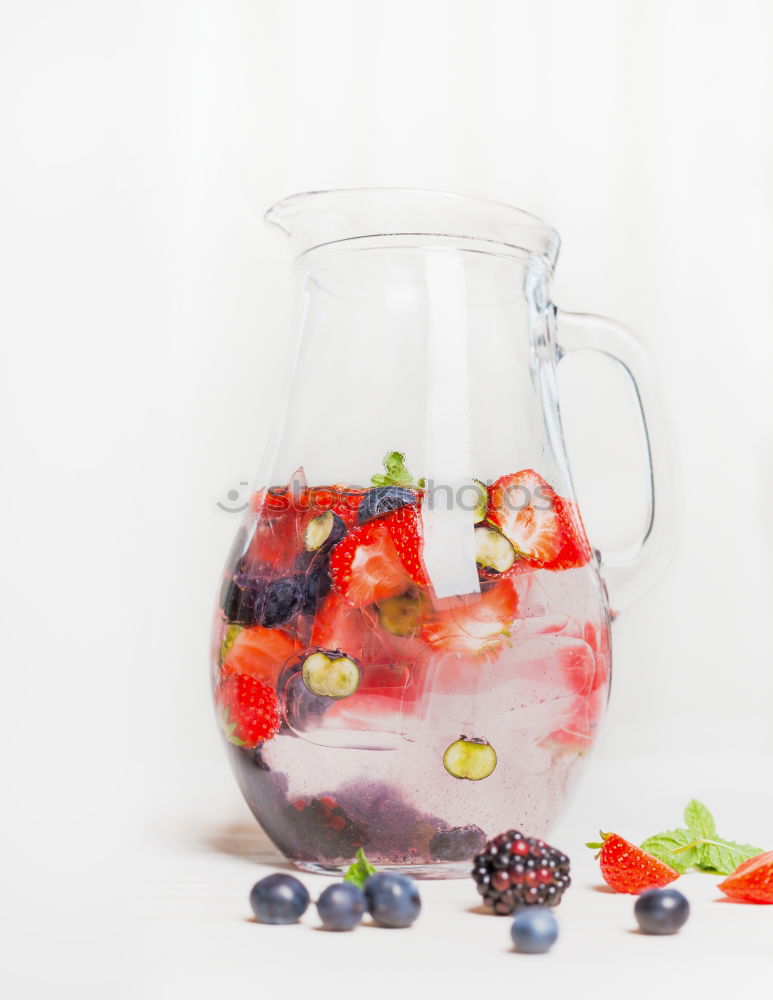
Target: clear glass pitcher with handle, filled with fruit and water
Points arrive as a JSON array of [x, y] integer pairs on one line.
[[411, 649]]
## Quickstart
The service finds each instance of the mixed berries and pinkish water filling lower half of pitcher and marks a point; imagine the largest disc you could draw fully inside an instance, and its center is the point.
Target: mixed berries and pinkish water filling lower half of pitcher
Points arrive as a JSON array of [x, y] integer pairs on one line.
[[362, 710]]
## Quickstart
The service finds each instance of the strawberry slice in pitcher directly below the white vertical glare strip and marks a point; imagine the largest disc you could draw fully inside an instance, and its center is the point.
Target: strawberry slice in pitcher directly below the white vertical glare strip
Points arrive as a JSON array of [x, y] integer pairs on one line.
[[475, 624]]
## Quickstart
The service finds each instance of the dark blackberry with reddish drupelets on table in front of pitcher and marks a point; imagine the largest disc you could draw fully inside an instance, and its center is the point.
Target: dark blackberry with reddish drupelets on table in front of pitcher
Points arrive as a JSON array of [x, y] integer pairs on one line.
[[514, 871]]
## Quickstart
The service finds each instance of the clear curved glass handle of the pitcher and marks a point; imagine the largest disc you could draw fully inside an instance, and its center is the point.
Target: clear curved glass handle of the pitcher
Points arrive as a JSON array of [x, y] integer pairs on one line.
[[632, 570]]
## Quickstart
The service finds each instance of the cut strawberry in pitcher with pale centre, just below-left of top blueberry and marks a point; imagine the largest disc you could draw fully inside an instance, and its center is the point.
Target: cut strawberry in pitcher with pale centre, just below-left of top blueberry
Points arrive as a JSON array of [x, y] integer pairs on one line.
[[365, 566]]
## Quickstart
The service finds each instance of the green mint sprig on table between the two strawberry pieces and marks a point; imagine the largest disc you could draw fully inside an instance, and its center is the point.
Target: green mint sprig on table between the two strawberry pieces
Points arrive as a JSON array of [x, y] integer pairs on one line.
[[697, 845]]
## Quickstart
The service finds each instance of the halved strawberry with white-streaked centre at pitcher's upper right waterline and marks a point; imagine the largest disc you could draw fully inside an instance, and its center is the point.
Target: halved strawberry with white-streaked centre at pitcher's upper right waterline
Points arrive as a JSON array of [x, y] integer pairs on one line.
[[524, 508]]
